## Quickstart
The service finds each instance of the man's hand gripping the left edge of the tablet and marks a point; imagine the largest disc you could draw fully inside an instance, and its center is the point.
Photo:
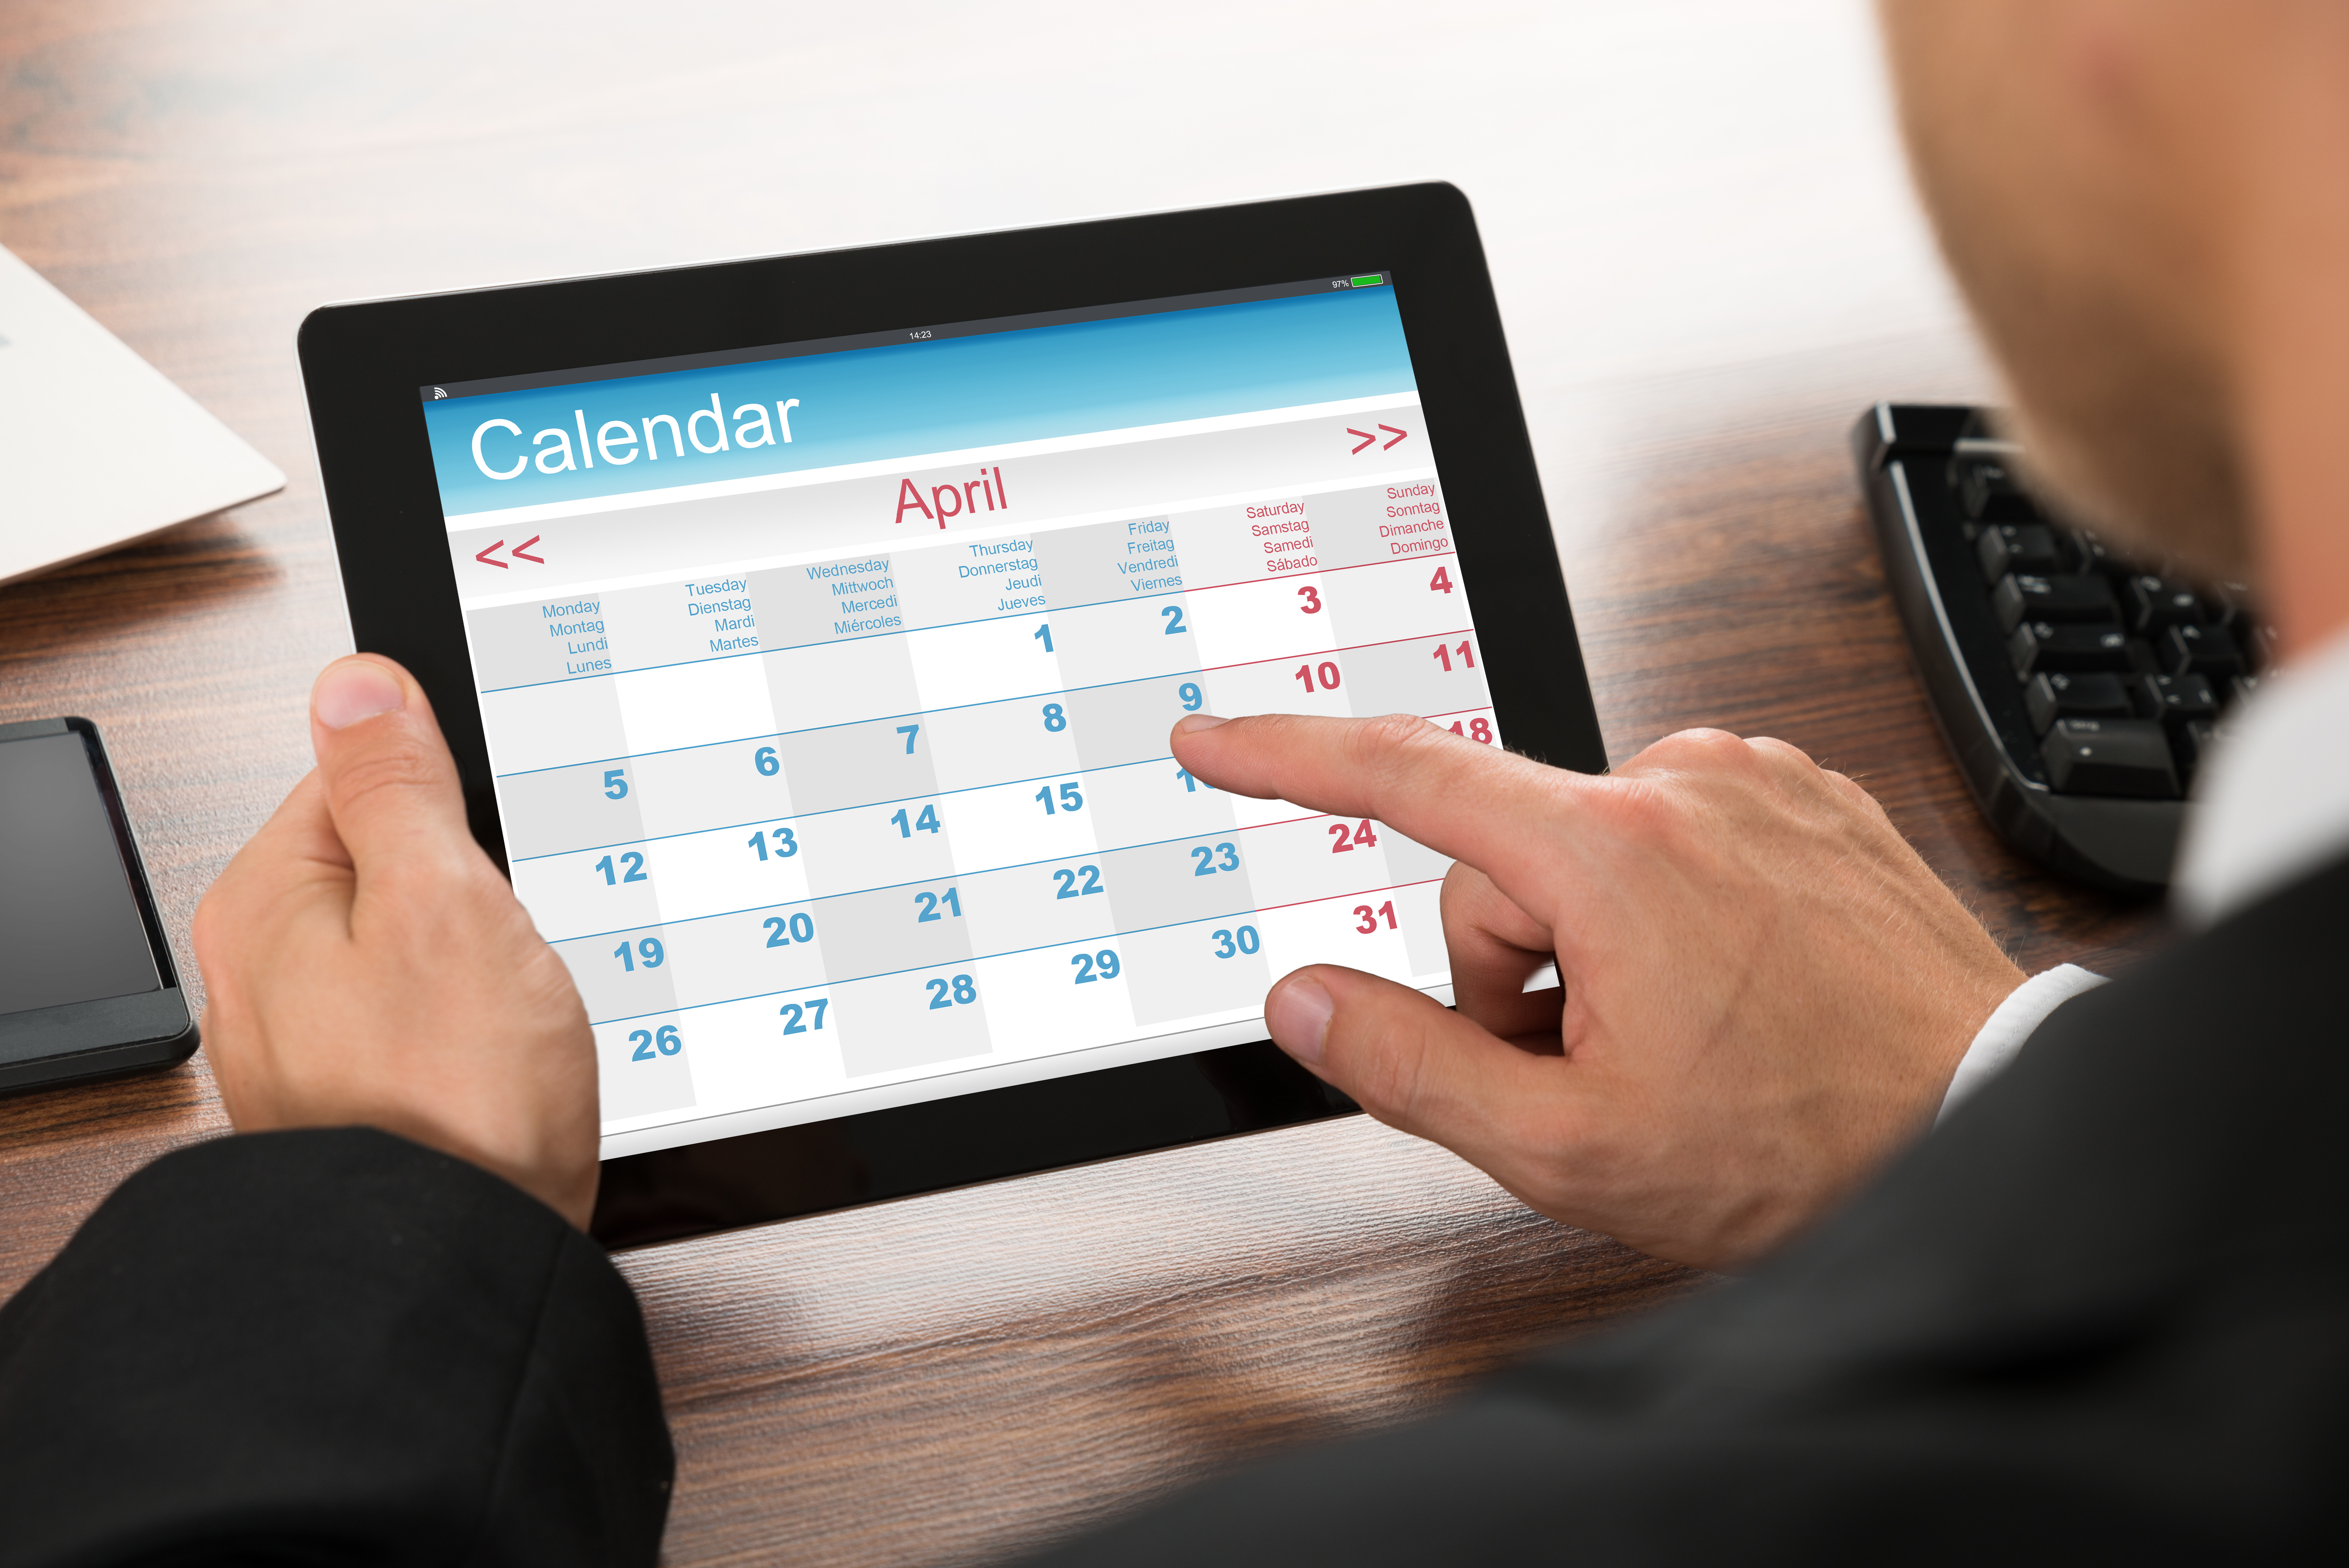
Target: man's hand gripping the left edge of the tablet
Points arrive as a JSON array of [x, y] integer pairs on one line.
[[370, 967]]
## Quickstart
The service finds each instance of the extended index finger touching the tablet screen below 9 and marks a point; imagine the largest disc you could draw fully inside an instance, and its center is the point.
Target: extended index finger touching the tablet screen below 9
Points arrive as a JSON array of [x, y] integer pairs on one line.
[[1455, 796]]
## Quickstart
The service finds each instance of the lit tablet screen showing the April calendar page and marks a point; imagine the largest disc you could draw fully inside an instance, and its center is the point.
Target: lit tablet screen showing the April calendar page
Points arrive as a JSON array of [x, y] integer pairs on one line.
[[828, 688]]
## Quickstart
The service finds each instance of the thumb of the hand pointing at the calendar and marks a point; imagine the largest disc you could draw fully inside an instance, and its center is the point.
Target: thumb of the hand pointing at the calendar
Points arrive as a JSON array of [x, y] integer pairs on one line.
[[1411, 1061]]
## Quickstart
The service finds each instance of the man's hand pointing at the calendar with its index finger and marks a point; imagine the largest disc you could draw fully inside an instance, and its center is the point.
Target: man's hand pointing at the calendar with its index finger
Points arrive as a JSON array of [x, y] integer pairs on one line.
[[1765, 991]]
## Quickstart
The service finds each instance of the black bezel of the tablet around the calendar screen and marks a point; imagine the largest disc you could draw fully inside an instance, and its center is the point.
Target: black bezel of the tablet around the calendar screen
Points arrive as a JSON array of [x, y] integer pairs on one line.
[[363, 368]]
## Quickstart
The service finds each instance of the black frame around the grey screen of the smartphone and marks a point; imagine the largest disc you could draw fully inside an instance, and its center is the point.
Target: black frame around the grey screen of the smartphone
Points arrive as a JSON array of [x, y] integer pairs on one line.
[[107, 1036]]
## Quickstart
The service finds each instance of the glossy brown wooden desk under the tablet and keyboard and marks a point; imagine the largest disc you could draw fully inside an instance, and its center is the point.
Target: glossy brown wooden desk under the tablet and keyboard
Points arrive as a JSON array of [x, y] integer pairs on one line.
[[1709, 267]]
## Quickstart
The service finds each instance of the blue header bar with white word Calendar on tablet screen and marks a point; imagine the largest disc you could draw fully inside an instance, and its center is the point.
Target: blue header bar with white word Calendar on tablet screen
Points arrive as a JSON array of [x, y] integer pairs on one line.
[[736, 422]]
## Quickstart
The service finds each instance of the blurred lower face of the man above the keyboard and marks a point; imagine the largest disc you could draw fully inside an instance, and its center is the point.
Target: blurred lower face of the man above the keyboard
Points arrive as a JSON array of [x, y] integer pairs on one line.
[[2113, 185]]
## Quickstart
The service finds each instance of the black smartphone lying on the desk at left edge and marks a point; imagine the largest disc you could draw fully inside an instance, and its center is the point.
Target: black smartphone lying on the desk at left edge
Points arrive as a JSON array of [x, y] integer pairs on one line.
[[88, 986]]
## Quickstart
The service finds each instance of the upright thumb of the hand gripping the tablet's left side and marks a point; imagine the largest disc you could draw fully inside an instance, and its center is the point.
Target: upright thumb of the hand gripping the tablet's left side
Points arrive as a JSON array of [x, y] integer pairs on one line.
[[391, 782]]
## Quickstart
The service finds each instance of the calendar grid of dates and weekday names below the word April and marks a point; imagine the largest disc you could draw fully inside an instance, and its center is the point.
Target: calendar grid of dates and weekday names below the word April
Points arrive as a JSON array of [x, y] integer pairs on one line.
[[906, 808]]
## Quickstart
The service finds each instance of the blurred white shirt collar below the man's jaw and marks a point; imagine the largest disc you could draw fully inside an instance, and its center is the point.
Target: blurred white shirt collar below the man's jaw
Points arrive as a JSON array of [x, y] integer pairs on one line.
[[2275, 798]]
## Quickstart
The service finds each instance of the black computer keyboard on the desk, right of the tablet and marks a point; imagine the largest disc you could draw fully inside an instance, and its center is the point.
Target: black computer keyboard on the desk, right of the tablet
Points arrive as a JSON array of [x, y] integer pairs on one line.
[[2078, 688]]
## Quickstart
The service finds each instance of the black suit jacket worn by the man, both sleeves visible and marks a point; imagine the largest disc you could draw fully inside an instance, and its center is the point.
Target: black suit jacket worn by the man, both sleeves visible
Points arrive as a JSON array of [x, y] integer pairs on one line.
[[2101, 1313]]
